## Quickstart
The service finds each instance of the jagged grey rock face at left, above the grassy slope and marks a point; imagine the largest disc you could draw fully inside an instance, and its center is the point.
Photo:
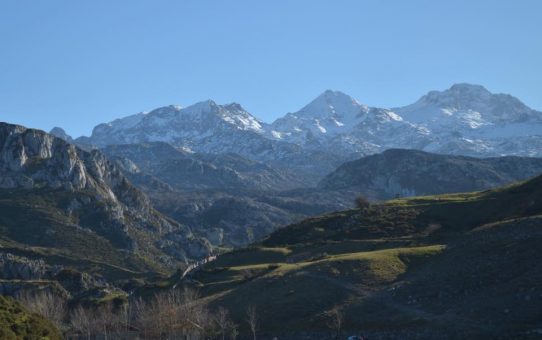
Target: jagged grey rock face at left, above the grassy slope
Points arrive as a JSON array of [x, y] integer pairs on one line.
[[100, 197]]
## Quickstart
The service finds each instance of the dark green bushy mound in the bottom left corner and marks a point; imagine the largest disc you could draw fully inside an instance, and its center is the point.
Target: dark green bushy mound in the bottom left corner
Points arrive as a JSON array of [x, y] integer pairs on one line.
[[17, 323]]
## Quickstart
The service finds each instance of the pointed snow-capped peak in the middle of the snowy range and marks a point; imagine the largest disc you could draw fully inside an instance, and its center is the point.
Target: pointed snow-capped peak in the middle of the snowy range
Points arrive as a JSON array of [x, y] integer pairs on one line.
[[338, 123]]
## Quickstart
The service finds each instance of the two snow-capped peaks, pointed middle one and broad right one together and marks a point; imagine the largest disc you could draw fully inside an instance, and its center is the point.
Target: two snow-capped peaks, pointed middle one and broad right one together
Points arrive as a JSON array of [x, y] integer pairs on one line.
[[465, 119]]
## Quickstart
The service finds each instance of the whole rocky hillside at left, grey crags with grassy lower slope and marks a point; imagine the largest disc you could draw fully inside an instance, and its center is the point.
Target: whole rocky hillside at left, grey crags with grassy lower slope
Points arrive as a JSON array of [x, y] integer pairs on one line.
[[66, 188]]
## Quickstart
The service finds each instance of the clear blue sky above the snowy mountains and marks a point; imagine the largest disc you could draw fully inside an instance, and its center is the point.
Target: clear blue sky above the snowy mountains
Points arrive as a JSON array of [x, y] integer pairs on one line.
[[79, 63]]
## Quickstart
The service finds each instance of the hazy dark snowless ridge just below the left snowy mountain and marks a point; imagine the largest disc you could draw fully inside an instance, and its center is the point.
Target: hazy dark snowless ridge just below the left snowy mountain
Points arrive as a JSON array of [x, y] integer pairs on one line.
[[196, 171]]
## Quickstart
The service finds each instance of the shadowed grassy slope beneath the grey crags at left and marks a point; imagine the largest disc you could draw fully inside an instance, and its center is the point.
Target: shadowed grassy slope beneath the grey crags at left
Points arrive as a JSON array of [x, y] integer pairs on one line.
[[35, 225]]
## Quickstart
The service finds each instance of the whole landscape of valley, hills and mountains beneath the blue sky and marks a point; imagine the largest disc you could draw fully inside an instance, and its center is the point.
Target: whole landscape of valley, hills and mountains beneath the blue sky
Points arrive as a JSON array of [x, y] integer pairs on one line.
[[337, 219]]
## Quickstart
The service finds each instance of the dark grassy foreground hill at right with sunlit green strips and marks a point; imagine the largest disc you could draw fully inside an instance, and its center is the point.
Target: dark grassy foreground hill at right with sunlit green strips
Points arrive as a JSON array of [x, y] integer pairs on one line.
[[449, 266]]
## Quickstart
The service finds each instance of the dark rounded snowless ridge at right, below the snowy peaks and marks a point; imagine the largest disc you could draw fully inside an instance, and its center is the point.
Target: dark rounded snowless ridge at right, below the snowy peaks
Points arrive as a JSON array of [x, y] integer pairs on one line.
[[400, 172]]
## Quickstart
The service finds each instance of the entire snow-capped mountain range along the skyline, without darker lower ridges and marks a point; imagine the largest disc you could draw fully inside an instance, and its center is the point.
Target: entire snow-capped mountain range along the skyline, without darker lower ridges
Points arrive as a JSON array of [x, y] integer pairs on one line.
[[462, 120]]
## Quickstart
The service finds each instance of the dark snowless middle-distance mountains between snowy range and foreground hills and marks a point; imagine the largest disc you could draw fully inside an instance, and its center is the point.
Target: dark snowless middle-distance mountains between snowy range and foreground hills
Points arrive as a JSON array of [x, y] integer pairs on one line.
[[233, 201]]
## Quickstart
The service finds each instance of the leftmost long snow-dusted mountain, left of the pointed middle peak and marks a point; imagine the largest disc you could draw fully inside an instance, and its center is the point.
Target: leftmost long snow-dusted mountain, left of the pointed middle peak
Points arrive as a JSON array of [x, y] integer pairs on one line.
[[207, 127]]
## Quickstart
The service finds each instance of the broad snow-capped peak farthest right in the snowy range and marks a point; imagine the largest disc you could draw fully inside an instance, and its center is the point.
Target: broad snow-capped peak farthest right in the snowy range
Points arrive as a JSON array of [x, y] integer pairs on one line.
[[468, 119]]
